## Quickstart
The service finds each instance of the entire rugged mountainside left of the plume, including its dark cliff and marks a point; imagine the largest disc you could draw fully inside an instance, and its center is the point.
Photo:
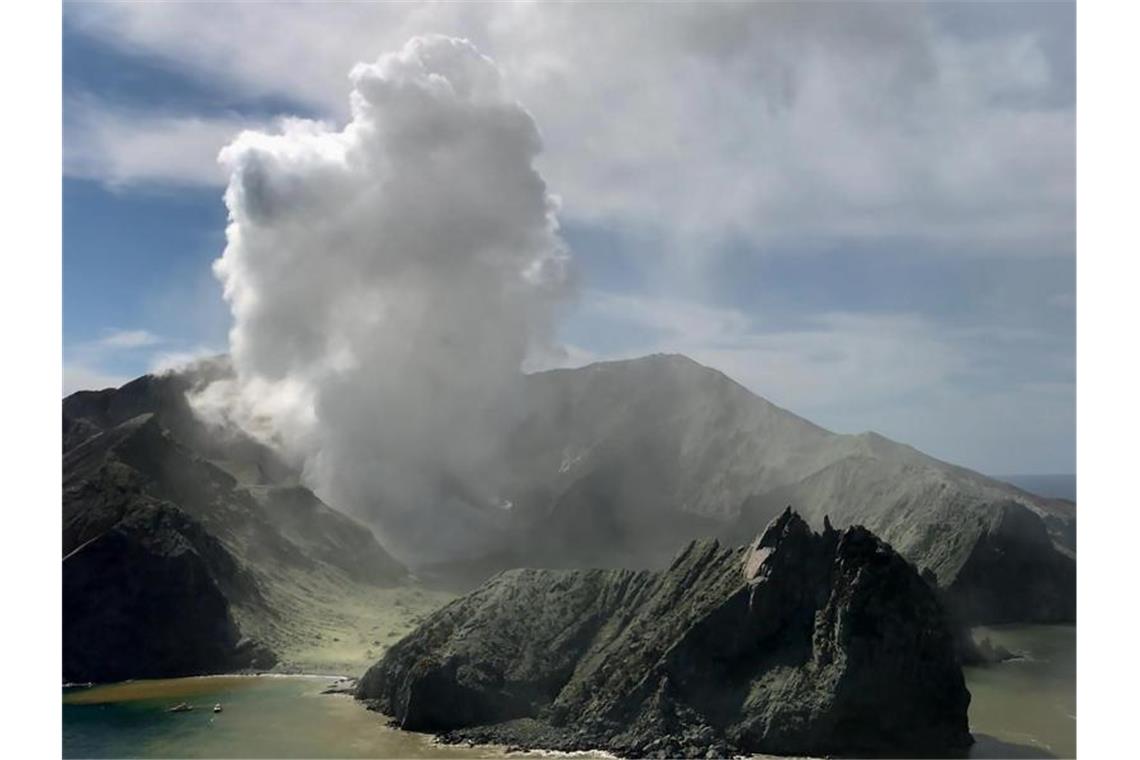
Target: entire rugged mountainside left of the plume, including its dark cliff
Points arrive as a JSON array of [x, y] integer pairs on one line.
[[189, 550]]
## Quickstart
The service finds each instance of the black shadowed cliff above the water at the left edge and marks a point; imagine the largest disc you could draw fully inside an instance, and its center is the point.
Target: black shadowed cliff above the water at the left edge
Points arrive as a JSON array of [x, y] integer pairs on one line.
[[143, 601]]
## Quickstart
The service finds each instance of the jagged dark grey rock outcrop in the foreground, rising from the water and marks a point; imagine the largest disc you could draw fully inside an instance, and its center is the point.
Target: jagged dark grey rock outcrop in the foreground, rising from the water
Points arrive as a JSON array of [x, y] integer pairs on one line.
[[803, 643]]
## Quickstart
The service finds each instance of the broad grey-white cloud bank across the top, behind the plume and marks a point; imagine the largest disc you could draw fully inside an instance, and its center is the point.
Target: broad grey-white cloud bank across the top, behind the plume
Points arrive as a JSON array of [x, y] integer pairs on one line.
[[771, 122]]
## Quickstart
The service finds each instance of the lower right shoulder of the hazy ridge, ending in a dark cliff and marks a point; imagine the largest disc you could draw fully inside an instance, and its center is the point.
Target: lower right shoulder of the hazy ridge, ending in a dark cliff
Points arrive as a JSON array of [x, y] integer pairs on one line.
[[987, 545]]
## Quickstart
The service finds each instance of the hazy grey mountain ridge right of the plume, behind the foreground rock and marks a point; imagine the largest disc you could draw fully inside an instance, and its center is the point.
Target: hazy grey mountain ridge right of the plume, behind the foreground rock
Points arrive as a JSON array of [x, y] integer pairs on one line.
[[620, 463]]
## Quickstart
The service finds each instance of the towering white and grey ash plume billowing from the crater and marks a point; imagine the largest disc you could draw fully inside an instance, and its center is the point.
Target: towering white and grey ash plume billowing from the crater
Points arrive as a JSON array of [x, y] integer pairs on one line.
[[387, 282]]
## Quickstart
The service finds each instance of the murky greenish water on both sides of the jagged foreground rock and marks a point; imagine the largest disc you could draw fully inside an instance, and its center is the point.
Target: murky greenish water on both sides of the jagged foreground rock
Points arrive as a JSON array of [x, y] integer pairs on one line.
[[1024, 708]]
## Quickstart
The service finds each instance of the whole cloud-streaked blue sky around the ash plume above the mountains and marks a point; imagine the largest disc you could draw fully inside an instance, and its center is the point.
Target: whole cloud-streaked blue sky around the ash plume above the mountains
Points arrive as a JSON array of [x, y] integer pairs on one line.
[[866, 216]]
